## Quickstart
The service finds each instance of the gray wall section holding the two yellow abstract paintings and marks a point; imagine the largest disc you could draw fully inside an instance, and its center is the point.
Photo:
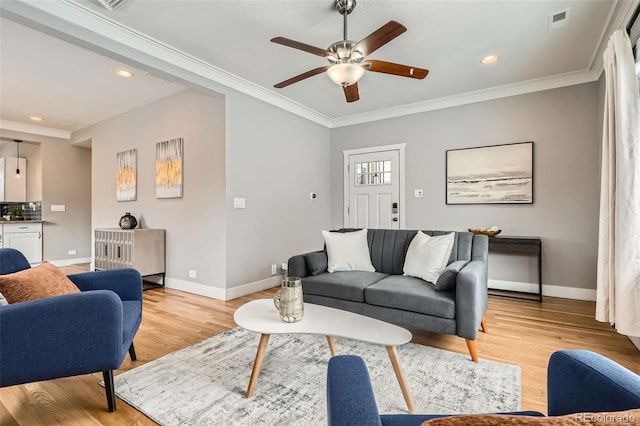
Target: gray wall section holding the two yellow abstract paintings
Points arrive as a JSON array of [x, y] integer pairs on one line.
[[195, 224]]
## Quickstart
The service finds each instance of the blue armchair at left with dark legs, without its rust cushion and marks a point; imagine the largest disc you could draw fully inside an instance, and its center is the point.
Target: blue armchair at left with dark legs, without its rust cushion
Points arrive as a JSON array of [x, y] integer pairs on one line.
[[73, 334]]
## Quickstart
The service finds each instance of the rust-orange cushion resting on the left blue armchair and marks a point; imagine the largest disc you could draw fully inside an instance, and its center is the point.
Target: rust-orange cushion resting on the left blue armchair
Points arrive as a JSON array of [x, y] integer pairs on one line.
[[44, 280]]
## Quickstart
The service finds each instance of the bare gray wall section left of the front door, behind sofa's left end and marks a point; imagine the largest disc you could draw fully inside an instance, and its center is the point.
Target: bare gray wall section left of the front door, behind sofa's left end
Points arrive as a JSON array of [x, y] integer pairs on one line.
[[274, 160]]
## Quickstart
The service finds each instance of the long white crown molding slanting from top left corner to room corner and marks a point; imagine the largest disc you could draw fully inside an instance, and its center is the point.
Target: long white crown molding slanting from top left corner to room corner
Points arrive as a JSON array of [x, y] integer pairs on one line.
[[79, 25]]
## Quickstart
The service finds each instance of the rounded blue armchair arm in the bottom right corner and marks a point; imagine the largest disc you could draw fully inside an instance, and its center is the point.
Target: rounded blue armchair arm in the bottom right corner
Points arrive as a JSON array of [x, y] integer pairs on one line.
[[583, 381]]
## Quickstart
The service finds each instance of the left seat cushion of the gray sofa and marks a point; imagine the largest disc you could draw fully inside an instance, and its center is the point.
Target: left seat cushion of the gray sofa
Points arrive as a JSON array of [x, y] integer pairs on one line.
[[346, 285]]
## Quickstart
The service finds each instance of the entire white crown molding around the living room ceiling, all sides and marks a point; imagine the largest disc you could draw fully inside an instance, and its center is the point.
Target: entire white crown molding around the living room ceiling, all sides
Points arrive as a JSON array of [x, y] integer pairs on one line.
[[76, 23]]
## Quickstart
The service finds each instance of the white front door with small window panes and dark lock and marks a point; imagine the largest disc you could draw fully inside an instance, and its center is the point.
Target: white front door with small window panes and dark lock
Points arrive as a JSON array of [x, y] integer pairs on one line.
[[373, 189]]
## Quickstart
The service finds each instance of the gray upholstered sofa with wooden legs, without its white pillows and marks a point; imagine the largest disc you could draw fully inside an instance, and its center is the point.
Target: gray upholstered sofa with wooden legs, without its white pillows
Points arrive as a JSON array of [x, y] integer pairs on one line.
[[407, 301]]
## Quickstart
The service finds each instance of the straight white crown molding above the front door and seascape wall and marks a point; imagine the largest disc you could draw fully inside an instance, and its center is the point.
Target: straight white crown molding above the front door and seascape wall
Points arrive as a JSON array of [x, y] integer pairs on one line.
[[537, 85]]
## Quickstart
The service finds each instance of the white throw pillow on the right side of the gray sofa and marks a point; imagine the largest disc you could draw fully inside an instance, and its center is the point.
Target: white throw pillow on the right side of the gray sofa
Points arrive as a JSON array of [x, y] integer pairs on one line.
[[428, 256]]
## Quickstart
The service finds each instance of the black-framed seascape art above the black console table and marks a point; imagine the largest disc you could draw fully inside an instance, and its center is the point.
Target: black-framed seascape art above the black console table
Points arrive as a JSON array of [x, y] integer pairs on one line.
[[498, 174]]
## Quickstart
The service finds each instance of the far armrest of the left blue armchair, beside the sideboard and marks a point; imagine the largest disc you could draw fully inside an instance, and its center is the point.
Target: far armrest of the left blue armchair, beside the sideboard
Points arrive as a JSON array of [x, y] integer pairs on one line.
[[126, 282]]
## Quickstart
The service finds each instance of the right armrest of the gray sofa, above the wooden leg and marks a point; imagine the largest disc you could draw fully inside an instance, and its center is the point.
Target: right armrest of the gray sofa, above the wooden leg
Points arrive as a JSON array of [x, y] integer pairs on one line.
[[471, 298]]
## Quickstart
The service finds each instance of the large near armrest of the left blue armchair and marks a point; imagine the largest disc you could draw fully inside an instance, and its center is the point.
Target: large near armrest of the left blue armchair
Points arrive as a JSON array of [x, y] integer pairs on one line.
[[60, 336]]
